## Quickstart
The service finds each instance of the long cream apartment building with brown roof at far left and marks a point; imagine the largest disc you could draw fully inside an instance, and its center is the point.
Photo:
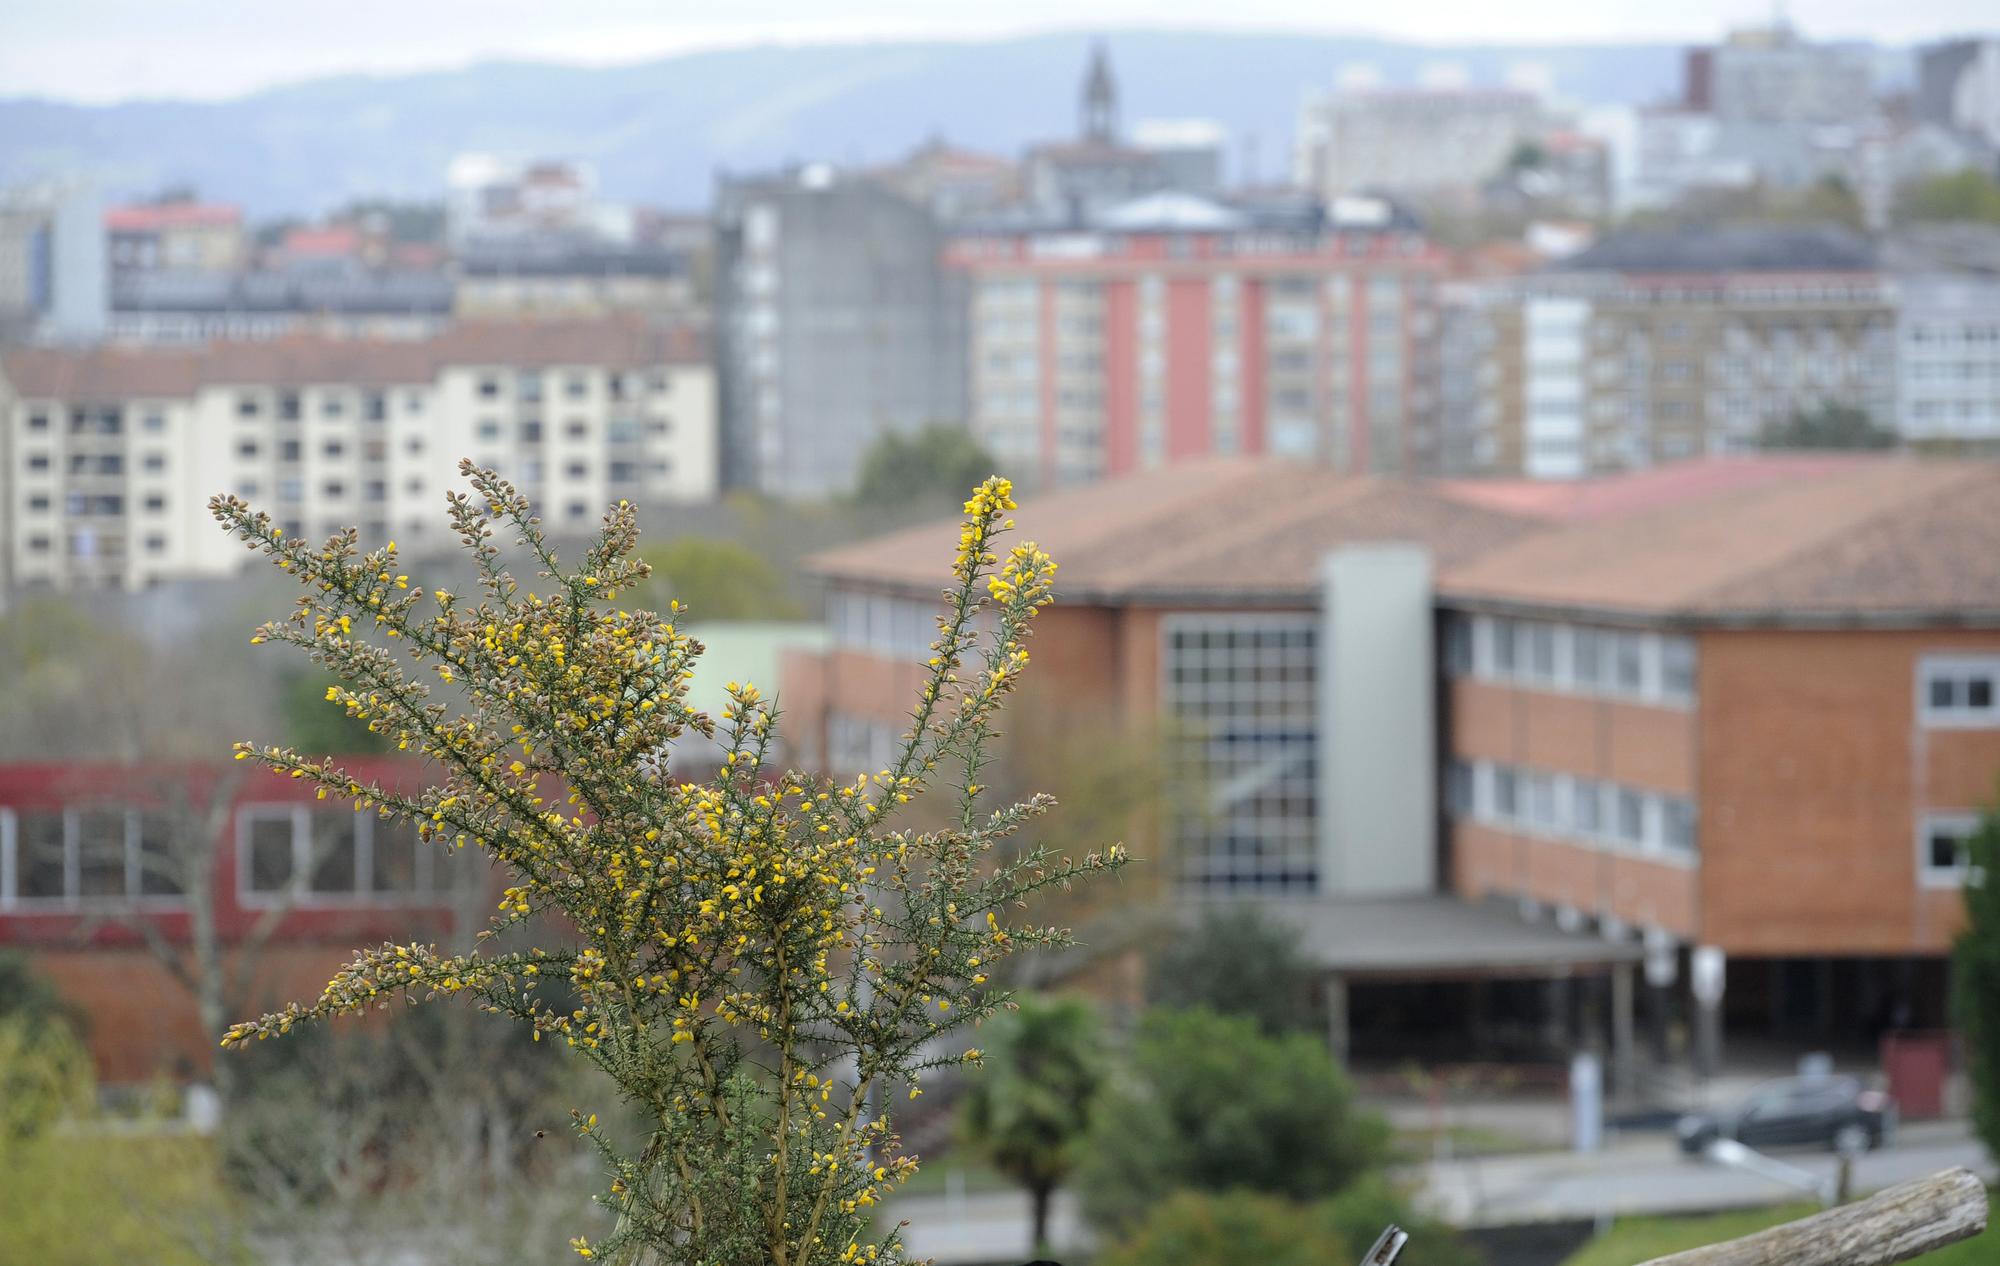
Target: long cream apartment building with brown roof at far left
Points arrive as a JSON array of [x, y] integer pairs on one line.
[[111, 453]]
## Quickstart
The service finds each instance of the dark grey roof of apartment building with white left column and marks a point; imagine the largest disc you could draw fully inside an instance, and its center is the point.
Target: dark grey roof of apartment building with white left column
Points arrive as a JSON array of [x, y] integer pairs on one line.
[[1729, 249]]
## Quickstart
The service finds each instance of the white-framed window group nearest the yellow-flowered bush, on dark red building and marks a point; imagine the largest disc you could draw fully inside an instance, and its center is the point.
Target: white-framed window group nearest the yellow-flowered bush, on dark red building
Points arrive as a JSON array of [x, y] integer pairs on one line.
[[327, 857]]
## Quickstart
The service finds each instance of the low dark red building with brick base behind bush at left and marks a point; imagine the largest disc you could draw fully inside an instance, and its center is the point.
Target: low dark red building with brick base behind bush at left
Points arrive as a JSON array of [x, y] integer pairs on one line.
[[93, 889]]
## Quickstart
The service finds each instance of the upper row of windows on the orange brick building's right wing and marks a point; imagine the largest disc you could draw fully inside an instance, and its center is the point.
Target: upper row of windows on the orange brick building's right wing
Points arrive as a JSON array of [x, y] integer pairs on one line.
[[1605, 663]]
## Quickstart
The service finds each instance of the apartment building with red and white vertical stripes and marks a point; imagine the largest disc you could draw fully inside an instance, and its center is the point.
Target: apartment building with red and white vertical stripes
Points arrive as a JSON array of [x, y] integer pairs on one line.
[[1179, 327]]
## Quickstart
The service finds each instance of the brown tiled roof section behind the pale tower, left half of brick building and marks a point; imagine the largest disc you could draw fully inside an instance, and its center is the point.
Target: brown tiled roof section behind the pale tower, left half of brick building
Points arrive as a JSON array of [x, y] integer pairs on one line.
[[1225, 529]]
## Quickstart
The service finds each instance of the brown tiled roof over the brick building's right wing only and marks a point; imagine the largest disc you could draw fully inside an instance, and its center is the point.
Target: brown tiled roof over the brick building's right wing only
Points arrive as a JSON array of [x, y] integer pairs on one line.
[[1861, 539]]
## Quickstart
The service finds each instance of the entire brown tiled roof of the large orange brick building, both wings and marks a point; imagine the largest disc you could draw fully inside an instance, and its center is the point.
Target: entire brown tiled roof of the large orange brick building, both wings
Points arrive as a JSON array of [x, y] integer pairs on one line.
[[1797, 537]]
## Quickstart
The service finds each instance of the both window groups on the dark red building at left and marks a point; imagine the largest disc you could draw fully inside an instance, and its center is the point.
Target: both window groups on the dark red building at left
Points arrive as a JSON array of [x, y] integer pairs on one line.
[[119, 857]]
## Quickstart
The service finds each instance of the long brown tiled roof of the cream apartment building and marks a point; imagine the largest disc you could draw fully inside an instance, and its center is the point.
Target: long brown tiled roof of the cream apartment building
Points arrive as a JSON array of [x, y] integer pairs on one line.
[[119, 373]]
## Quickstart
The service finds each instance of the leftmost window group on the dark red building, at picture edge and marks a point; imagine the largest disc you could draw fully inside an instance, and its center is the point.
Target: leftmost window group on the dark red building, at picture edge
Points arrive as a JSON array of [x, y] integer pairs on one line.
[[87, 855]]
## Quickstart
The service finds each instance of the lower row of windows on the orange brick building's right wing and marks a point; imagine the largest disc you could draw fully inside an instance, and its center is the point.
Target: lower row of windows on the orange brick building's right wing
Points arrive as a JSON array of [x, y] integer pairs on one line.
[[1567, 807]]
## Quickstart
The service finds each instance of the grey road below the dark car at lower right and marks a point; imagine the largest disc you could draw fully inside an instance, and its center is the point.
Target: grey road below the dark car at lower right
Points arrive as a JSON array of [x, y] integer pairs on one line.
[[1643, 1175]]
